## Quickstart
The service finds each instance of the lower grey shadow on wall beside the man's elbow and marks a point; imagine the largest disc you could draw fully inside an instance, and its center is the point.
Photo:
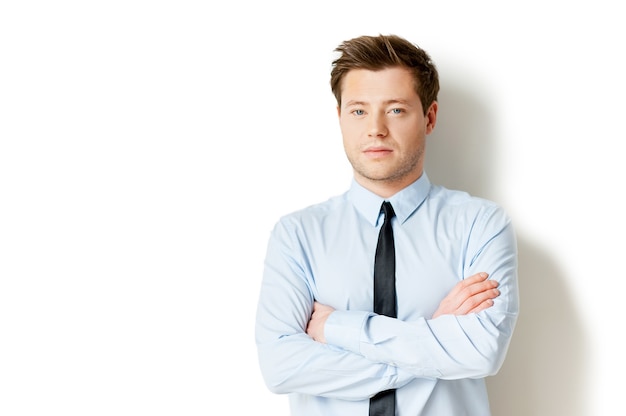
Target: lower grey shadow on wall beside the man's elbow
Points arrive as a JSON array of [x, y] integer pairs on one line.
[[544, 370]]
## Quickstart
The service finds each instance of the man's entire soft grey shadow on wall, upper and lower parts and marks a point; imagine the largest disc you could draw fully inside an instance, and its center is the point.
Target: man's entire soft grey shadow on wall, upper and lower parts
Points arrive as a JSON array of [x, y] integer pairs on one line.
[[544, 371]]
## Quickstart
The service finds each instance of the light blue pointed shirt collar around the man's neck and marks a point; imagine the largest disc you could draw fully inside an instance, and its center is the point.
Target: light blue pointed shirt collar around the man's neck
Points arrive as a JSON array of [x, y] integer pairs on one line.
[[404, 202]]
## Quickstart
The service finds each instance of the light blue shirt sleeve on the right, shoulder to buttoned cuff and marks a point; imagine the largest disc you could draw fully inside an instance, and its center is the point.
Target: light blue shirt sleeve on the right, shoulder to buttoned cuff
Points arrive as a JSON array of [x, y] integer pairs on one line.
[[448, 347]]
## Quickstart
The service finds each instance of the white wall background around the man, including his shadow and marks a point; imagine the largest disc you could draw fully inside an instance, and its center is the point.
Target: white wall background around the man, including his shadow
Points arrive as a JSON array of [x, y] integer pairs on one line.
[[148, 147]]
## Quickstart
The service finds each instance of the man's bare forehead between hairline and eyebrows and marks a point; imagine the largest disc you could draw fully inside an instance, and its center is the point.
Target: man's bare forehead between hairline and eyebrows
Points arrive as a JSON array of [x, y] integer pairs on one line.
[[389, 83]]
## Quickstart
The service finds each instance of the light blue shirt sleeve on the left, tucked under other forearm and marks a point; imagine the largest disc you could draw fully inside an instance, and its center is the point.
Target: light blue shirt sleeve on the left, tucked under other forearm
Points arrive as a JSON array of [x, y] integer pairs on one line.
[[291, 361]]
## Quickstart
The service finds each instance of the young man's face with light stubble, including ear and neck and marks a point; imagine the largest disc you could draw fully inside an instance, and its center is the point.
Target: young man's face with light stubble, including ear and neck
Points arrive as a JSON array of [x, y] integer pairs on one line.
[[384, 128]]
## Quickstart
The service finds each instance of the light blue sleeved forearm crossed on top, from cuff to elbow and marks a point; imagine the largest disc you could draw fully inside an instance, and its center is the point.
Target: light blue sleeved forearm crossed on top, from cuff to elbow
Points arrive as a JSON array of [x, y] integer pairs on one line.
[[449, 347]]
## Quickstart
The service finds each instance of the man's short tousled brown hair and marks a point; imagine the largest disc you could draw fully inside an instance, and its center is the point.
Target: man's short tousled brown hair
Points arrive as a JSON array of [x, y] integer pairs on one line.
[[375, 53]]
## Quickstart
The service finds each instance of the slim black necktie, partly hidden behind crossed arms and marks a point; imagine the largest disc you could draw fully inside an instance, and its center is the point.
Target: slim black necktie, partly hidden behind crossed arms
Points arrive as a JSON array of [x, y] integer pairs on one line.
[[384, 403]]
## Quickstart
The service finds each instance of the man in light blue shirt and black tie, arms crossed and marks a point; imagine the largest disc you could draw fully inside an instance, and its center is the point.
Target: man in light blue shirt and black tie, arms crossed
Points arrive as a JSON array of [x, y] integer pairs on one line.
[[456, 301]]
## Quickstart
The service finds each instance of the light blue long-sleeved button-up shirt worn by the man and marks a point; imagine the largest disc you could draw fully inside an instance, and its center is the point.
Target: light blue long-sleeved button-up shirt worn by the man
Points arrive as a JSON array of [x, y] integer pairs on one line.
[[326, 252]]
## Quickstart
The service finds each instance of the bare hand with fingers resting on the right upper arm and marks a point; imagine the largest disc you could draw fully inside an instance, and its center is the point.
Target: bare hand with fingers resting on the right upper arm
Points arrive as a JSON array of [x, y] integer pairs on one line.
[[470, 295]]
